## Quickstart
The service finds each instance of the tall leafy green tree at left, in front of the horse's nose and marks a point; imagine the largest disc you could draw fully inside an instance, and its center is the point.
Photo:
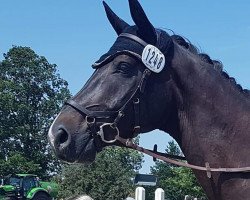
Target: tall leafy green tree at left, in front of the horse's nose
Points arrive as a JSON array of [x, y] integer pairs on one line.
[[31, 93]]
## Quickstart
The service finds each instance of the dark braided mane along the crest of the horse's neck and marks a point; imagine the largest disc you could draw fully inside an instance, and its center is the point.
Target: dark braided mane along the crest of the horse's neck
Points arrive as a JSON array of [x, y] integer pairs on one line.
[[217, 65]]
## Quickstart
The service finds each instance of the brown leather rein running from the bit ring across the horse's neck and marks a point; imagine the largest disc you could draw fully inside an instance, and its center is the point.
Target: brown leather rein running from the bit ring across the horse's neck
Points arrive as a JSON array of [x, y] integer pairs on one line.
[[130, 144]]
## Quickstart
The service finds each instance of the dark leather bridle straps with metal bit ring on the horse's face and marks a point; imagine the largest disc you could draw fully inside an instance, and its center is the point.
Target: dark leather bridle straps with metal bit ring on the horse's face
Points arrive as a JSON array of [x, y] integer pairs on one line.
[[92, 117]]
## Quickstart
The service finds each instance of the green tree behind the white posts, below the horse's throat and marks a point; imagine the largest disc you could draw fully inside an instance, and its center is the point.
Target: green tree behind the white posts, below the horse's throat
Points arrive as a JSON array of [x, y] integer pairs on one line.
[[176, 181]]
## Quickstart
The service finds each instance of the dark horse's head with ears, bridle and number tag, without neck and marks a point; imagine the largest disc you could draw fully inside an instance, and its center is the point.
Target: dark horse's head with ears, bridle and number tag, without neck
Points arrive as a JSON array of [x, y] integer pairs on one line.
[[122, 97]]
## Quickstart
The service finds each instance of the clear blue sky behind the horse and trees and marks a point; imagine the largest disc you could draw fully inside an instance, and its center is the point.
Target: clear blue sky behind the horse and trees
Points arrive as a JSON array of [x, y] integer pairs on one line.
[[73, 34]]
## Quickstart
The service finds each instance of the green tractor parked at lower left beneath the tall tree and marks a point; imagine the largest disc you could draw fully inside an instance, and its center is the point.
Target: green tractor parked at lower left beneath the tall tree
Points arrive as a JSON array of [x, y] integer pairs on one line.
[[26, 186]]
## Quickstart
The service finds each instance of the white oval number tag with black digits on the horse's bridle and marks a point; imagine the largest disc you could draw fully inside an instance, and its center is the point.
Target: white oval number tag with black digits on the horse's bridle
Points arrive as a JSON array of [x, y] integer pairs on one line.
[[153, 58]]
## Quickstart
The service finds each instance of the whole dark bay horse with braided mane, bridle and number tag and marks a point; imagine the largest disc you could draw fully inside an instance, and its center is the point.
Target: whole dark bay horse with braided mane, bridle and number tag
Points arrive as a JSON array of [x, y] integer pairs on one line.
[[150, 80]]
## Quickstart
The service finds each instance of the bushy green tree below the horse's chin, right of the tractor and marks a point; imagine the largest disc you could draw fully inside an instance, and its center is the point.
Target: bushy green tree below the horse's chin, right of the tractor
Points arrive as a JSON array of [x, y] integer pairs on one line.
[[109, 177]]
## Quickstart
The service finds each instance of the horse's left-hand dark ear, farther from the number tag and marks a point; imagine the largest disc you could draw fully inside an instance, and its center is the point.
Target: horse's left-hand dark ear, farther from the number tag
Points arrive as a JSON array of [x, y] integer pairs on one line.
[[117, 23]]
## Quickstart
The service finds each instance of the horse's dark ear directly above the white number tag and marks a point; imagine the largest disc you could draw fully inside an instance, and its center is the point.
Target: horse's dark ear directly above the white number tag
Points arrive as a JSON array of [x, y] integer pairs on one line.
[[146, 29]]
